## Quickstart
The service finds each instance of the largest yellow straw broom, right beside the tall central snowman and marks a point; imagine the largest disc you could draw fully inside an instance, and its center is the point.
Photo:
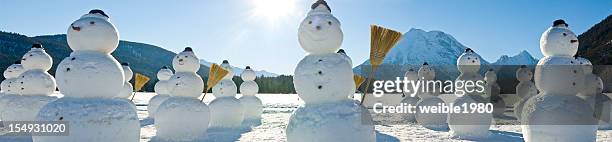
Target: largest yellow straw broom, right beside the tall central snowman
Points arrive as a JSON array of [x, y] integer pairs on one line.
[[382, 40]]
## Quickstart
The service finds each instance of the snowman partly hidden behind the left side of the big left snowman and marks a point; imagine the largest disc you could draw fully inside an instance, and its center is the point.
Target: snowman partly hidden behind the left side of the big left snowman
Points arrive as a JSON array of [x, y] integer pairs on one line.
[[34, 86]]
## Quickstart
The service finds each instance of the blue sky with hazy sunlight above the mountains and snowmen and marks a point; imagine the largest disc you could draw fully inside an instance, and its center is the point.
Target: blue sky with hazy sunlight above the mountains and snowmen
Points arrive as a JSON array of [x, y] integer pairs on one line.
[[264, 35]]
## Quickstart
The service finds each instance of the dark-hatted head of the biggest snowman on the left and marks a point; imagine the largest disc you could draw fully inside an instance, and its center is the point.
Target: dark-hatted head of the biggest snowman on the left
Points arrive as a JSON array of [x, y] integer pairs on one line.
[[93, 32]]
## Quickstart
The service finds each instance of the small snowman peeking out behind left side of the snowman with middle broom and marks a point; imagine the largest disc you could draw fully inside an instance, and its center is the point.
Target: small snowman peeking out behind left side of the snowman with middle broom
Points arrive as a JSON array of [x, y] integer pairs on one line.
[[161, 89]]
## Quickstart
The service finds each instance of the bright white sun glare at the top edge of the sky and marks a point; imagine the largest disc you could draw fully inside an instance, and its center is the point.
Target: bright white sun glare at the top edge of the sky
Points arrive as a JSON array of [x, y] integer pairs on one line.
[[274, 9]]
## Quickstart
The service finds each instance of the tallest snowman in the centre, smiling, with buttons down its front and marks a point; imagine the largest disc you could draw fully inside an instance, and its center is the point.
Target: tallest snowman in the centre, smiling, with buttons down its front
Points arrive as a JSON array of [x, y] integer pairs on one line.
[[324, 79]]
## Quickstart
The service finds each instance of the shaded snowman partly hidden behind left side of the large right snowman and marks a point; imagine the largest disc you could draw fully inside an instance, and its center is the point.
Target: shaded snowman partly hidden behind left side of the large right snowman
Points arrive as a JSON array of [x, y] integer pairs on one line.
[[524, 90]]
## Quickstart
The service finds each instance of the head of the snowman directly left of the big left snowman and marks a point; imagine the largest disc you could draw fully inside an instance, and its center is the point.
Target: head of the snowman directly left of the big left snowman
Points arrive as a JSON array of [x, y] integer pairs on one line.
[[37, 59]]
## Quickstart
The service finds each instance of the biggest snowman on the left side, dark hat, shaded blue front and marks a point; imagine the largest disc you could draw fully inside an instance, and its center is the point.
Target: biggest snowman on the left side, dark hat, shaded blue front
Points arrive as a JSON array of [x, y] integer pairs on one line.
[[89, 79]]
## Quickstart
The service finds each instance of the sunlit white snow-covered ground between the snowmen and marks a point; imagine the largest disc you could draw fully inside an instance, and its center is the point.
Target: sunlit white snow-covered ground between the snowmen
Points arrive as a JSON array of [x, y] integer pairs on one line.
[[279, 107]]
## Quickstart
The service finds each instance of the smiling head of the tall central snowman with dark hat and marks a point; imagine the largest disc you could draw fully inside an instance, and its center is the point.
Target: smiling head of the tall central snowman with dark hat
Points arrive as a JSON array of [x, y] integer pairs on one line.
[[320, 31]]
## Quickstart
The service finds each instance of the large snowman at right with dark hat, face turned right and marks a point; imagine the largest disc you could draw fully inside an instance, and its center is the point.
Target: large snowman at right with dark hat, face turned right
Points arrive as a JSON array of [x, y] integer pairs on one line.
[[557, 113]]
